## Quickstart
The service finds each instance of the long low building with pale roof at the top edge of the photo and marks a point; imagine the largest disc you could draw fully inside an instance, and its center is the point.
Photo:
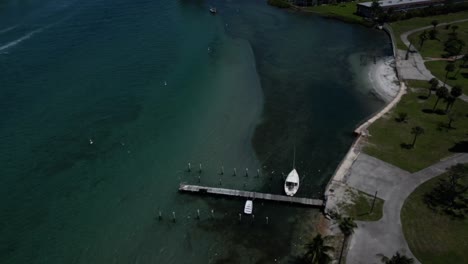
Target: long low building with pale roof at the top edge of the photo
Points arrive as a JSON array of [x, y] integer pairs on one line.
[[364, 9]]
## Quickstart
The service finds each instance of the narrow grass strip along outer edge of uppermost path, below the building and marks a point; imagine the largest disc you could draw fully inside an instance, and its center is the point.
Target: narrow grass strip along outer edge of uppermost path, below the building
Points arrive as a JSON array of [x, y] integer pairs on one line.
[[402, 26]]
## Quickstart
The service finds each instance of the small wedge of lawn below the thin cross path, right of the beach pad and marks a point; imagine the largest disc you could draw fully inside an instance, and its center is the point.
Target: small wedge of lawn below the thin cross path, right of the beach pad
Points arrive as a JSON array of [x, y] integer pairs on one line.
[[437, 68]]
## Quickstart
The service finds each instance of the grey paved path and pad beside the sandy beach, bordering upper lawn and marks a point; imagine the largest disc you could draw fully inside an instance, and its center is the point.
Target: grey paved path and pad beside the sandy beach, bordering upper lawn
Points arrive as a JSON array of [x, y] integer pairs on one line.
[[414, 68]]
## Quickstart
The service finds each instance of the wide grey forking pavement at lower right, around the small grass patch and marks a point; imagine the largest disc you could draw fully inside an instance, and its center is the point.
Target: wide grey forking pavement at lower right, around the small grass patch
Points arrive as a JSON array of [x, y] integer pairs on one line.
[[394, 185]]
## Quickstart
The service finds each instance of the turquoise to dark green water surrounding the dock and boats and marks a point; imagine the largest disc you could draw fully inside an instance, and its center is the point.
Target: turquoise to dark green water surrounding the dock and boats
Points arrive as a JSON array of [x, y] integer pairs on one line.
[[155, 85]]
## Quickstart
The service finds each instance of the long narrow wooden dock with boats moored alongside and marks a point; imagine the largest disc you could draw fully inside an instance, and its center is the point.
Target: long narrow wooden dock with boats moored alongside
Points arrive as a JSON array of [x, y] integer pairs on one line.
[[250, 195]]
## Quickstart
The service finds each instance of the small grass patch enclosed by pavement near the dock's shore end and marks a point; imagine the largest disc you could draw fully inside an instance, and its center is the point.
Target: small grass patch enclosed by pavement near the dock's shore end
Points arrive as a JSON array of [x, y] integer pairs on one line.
[[360, 210]]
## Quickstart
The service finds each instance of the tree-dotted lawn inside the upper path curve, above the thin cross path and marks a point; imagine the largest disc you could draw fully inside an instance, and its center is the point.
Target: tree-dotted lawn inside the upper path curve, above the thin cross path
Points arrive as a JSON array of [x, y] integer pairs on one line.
[[435, 48]]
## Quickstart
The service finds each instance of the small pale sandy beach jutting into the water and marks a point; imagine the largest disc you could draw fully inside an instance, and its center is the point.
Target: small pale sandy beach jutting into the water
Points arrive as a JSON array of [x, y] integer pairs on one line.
[[383, 78]]
